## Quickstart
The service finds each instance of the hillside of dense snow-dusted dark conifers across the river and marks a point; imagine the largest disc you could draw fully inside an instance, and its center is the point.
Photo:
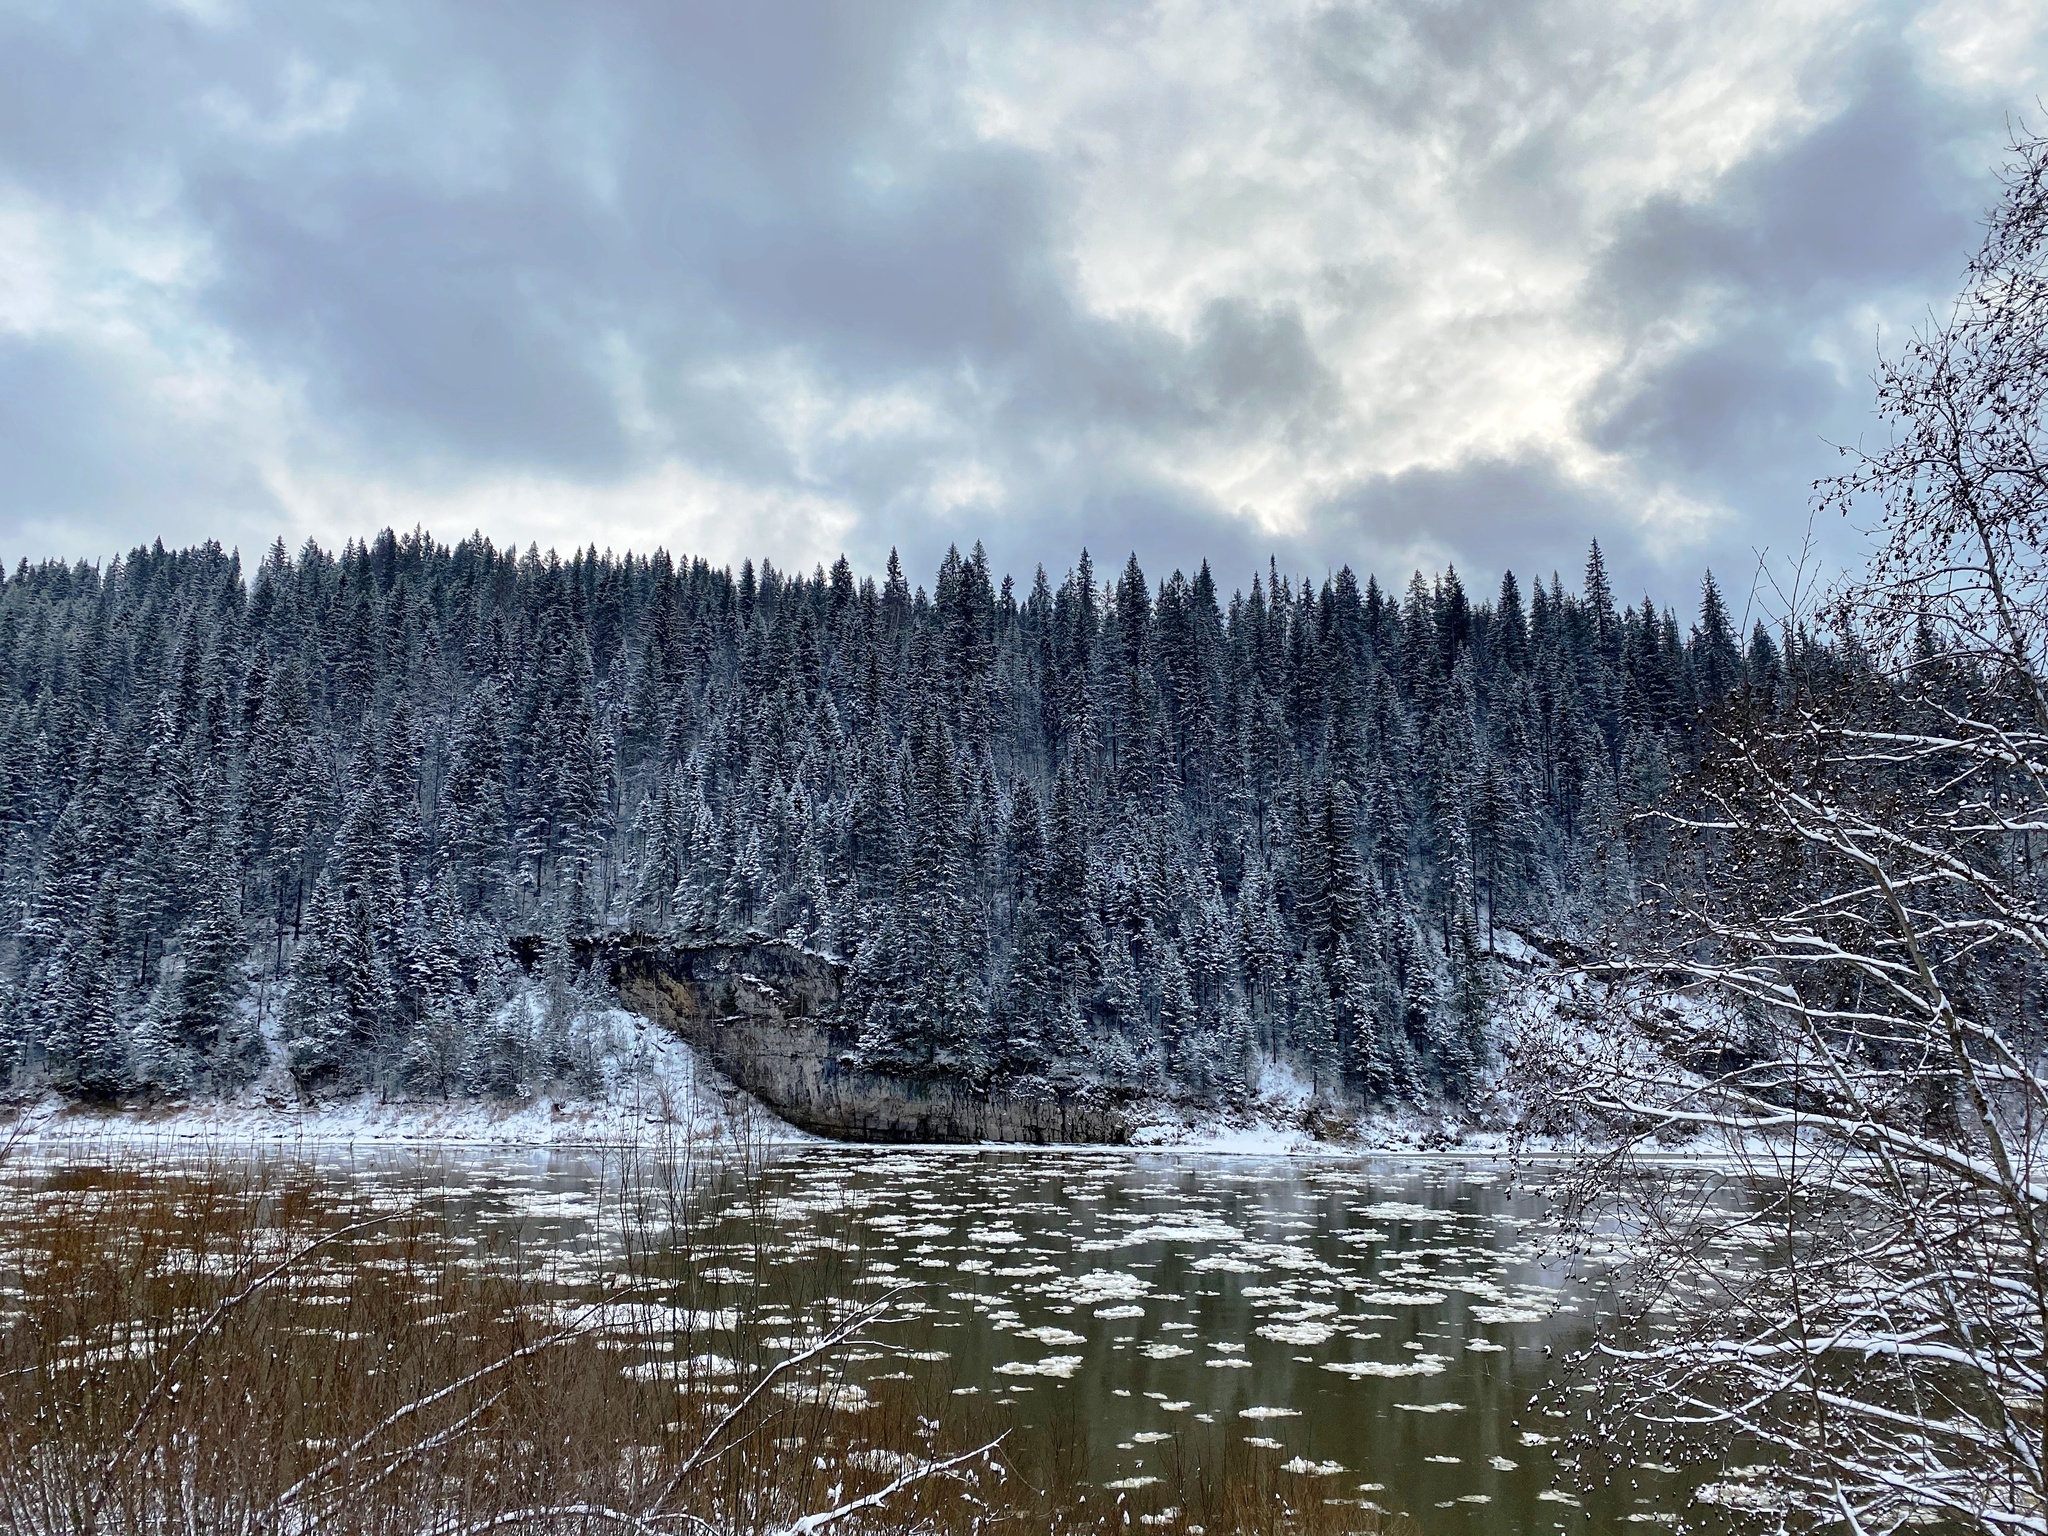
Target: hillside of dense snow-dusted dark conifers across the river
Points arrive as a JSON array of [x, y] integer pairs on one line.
[[1097, 833]]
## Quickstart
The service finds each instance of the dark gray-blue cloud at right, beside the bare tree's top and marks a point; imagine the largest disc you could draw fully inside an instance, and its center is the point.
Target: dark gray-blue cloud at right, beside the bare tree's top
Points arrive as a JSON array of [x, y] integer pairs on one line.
[[1787, 273]]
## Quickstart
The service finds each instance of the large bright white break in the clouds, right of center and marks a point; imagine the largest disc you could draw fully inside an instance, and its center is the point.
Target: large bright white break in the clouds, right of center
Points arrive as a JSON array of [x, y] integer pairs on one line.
[[1336, 167]]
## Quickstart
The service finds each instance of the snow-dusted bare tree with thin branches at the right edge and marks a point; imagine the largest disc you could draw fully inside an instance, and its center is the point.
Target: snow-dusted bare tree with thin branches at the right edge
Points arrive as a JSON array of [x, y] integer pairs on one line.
[[1844, 982]]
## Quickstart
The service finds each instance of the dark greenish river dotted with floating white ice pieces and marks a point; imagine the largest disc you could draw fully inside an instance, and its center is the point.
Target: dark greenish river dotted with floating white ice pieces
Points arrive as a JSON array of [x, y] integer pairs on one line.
[[1390, 1332]]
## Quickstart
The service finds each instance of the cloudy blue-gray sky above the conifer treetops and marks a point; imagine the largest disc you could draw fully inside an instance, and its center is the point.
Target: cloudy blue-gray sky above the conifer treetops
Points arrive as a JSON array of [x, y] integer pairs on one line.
[[1383, 286]]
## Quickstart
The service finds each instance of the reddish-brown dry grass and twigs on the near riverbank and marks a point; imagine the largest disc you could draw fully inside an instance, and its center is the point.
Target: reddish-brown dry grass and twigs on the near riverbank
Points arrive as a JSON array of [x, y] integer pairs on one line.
[[255, 1347]]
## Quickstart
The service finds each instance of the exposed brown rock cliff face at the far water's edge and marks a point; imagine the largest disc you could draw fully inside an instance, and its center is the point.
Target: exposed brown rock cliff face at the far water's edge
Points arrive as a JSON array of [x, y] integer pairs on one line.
[[767, 1015]]
